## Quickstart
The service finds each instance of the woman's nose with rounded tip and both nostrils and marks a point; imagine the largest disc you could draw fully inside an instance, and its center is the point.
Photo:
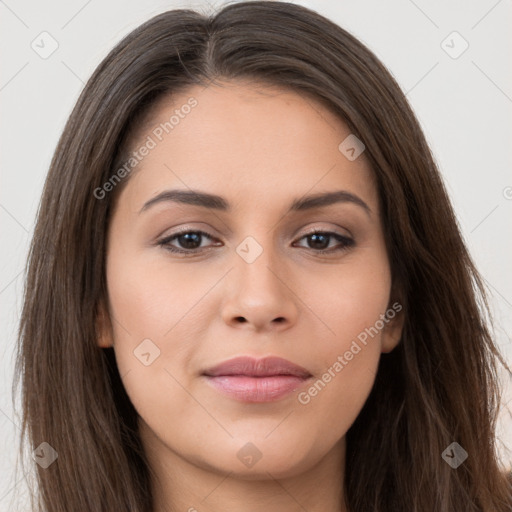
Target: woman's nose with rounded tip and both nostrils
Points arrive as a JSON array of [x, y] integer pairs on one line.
[[259, 296]]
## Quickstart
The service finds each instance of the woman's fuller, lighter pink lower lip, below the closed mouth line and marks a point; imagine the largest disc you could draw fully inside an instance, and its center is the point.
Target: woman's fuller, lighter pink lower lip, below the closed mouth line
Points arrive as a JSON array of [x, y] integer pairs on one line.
[[256, 389]]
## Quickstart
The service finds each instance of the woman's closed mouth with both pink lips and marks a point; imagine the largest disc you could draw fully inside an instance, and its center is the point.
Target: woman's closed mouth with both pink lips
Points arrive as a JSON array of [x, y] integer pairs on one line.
[[257, 380]]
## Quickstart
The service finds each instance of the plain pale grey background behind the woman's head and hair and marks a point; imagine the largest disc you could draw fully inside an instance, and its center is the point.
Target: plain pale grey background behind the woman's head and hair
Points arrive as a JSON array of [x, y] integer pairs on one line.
[[463, 102]]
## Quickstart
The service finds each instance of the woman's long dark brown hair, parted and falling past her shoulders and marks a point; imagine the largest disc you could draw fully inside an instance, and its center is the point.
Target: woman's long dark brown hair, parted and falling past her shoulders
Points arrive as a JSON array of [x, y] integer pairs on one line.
[[437, 387]]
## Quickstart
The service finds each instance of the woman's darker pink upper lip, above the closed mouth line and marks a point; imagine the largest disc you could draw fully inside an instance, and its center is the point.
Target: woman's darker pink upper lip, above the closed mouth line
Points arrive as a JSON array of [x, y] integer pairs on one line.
[[252, 367]]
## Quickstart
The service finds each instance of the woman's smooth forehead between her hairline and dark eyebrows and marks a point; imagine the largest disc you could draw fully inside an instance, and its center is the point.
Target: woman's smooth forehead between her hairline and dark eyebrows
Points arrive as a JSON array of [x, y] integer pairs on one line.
[[254, 144]]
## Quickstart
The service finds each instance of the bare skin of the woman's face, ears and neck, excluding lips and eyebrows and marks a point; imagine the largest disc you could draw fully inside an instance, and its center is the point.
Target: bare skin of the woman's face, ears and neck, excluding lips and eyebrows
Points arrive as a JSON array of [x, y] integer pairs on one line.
[[260, 148]]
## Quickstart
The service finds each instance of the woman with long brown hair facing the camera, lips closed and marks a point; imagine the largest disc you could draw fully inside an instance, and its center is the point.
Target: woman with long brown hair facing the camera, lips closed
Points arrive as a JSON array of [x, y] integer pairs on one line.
[[247, 288]]
